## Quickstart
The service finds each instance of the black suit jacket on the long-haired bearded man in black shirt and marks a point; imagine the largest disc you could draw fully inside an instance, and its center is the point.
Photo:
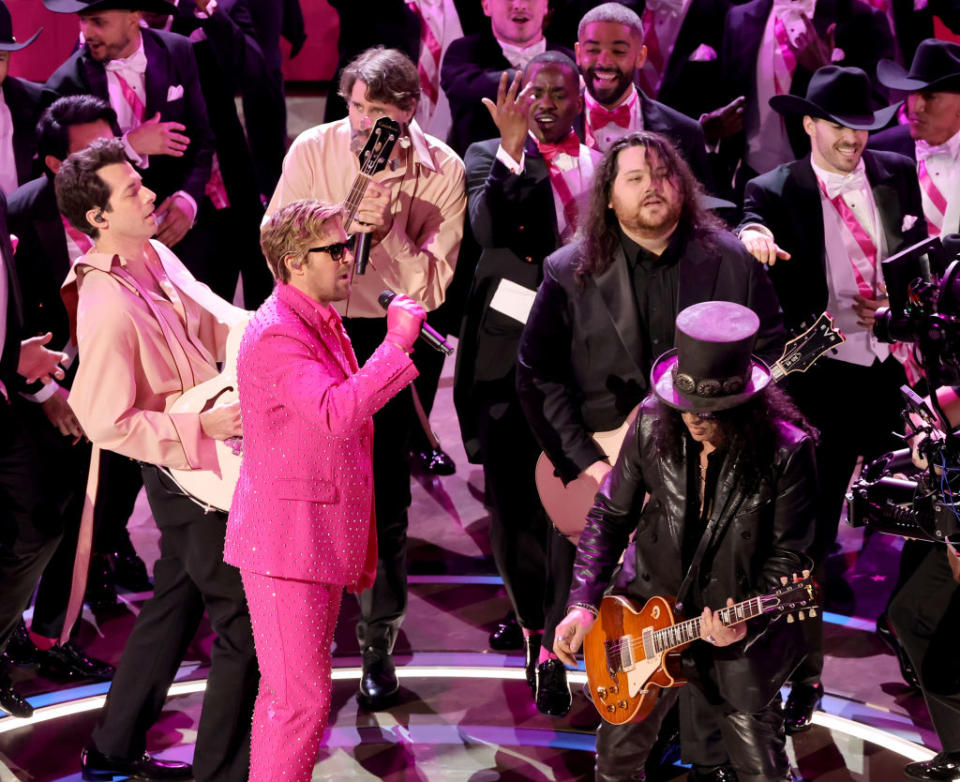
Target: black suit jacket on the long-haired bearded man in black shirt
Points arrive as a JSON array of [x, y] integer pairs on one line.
[[581, 367]]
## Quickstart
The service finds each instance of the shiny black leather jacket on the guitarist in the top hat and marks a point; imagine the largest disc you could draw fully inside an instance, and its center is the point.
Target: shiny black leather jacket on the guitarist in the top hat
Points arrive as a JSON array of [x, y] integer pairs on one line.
[[759, 535]]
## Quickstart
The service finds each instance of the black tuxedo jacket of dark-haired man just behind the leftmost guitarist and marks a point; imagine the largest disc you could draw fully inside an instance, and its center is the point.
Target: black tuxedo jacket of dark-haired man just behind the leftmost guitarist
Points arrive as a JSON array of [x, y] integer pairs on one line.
[[42, 259]]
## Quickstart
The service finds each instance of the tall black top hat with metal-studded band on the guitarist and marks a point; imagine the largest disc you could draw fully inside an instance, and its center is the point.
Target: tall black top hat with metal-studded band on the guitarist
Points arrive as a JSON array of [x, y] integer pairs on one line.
[[713, 366]]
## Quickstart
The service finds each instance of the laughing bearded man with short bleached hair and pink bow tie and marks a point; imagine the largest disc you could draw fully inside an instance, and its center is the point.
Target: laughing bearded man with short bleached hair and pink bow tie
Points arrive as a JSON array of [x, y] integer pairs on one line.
[[610, 52]]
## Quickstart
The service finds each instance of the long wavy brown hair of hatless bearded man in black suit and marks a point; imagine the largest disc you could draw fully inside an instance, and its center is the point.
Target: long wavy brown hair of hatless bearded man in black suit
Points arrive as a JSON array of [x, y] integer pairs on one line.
[[600, 229]]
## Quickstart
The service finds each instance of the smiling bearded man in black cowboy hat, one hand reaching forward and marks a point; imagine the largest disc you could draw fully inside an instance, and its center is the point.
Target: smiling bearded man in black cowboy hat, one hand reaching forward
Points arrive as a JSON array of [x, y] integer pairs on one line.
[[823, 224]]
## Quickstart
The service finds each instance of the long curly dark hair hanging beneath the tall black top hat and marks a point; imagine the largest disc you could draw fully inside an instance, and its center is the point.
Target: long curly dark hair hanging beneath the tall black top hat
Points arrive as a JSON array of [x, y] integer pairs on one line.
[[749, 430]]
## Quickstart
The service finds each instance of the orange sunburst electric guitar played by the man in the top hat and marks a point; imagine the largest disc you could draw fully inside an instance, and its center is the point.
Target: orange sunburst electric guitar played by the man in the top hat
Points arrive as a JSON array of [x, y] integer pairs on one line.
[[631, 655]]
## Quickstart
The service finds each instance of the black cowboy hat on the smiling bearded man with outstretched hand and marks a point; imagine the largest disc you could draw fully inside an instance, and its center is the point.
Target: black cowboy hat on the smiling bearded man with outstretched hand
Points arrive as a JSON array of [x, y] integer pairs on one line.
[[841, 95]]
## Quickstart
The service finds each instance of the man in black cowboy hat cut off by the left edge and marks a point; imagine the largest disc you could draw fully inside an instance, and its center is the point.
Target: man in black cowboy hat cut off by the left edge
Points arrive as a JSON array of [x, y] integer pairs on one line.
[[19, 110]]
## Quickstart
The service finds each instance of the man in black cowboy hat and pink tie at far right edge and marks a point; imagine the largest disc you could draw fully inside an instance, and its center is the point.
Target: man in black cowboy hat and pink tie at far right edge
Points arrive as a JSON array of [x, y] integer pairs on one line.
[[931, 136]]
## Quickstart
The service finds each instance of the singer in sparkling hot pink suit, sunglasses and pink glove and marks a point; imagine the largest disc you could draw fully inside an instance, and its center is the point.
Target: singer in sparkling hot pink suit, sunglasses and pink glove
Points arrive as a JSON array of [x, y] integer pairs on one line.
[[302, 525]]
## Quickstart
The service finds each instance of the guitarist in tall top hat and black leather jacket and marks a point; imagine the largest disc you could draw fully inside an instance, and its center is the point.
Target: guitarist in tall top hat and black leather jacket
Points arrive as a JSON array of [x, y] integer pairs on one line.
[[728, 464]]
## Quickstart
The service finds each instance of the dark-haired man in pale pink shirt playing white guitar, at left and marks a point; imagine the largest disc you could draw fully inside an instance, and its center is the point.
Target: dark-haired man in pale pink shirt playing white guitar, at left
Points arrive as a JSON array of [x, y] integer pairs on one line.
[[146, 332]]
